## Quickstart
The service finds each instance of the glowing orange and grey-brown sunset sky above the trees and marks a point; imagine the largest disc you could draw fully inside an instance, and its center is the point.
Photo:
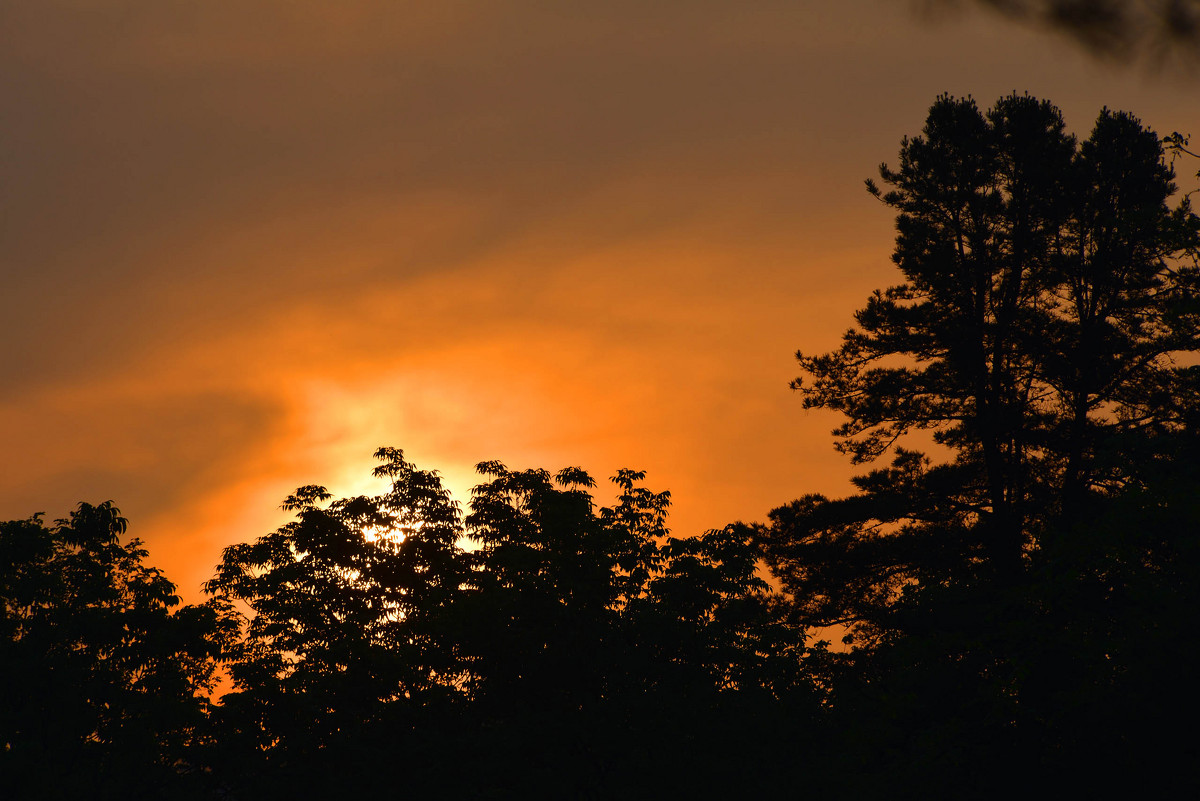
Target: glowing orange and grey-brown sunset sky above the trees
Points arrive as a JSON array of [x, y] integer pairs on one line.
[[245, 244]]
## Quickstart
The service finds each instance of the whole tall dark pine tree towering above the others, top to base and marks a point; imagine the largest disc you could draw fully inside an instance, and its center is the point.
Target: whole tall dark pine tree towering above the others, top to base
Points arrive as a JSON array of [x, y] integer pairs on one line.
[[1048, 292]]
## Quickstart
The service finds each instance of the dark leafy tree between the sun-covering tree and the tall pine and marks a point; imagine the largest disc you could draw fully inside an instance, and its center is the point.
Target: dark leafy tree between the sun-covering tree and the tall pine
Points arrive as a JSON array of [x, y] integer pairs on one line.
[[596, 629]]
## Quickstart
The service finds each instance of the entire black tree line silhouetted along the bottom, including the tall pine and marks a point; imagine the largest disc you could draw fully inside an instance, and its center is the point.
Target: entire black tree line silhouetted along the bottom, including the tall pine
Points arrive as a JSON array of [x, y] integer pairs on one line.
[[1016, 582]]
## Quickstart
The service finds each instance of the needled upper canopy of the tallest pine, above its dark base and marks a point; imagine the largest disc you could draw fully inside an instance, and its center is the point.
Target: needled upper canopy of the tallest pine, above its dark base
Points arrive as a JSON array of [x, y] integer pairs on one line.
[[1049, 296]]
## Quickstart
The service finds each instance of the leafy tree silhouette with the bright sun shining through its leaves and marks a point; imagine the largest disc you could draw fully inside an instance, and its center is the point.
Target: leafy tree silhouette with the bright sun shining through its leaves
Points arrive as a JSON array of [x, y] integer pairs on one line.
[[343, 635]]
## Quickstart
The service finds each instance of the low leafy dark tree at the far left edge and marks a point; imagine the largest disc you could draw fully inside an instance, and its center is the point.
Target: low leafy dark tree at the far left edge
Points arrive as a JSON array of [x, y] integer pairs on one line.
[[105, 685]]
